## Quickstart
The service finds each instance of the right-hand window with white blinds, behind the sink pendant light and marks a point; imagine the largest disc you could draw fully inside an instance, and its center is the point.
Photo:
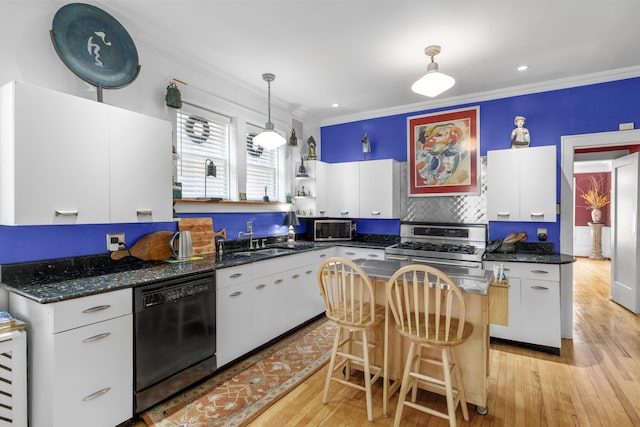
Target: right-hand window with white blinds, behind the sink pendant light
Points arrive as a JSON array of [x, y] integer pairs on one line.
[[263, 169]]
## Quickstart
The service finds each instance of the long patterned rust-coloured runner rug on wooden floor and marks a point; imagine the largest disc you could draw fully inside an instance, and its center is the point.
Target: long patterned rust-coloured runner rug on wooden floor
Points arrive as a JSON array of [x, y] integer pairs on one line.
[[239, 394]]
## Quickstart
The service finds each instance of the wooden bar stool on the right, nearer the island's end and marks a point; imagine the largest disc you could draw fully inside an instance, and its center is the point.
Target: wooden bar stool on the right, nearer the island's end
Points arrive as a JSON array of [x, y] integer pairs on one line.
[[429, 310]]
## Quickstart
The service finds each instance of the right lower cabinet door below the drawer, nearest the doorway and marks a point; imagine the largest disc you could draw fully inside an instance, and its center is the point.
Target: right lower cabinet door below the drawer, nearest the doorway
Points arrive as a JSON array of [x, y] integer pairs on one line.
[[541, 312]]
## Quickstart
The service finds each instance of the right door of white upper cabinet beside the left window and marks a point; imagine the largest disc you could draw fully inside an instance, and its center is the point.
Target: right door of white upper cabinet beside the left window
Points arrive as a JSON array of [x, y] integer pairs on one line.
[[140, 168]]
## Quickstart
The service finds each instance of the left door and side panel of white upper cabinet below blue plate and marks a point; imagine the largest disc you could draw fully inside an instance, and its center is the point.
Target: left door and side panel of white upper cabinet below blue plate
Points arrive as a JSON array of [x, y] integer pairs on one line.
[[59, 172]]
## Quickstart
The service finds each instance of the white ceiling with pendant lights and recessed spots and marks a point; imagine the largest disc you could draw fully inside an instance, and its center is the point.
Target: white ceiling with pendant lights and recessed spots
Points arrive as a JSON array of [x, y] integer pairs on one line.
[[365, 54]]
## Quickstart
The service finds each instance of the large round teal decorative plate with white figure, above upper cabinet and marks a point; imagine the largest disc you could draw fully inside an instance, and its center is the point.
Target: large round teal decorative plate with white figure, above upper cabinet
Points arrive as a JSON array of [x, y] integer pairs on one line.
[[94, 46]]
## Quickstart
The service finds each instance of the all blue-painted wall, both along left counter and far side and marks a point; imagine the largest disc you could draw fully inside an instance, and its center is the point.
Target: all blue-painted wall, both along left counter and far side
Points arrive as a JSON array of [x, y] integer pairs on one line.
[[550, 115]]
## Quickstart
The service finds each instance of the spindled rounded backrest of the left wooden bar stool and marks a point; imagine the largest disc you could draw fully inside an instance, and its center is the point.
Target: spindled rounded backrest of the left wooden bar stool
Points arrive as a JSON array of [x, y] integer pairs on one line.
[[347, 291]]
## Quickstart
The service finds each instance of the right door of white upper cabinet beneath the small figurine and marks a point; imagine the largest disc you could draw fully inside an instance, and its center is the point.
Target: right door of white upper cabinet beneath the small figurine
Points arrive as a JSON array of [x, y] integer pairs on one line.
[[538, 184]]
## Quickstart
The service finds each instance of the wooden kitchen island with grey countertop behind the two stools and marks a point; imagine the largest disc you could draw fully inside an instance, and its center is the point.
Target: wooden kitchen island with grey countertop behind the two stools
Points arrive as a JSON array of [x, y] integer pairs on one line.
[[473, 355]]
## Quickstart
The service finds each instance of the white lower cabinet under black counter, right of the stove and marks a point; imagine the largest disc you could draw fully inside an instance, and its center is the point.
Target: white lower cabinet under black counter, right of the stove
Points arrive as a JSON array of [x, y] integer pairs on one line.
[[534, 304]]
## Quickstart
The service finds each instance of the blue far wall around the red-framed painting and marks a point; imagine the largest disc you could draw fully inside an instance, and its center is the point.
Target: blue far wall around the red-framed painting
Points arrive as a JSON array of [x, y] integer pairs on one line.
[[550, 115]]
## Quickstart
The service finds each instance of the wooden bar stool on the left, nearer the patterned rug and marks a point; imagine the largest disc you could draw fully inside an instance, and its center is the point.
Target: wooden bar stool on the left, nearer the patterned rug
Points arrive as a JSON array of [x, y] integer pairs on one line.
[[350, 300]]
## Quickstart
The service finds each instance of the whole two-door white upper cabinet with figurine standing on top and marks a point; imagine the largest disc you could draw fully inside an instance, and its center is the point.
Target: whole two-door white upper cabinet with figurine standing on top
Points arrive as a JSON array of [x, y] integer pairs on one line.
[[521, 184]]
